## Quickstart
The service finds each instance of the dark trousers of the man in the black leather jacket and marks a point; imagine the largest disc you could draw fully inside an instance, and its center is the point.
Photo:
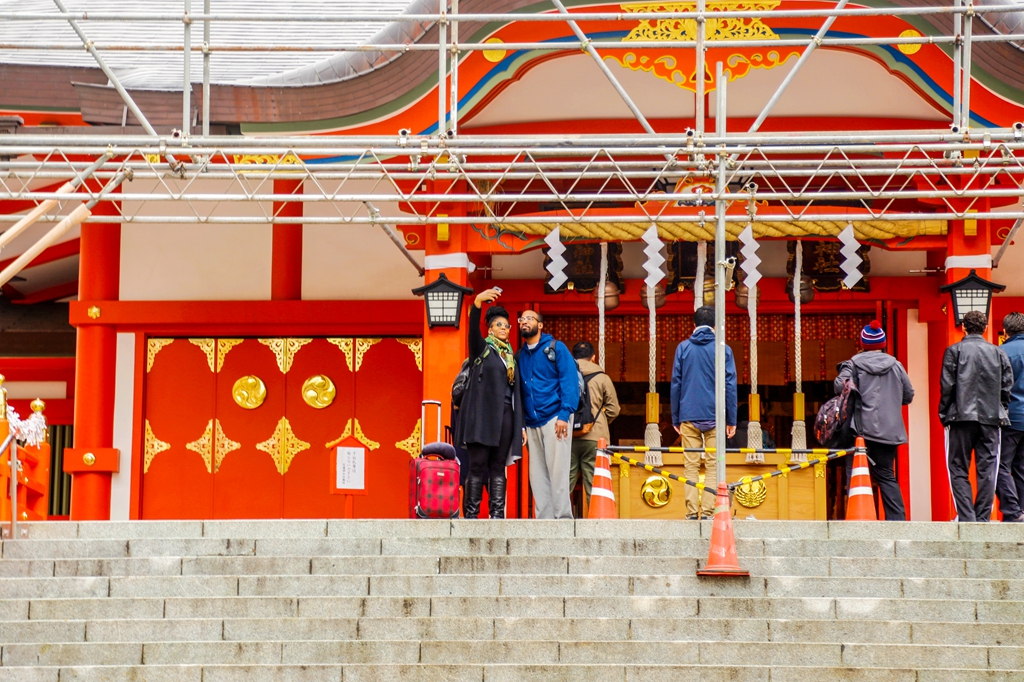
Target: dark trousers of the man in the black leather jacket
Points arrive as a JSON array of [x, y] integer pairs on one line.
[[984, 440]]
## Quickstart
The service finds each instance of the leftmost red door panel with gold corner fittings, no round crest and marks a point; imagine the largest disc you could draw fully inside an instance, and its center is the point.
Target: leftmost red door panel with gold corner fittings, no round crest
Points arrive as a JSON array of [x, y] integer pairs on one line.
[[178, 460]]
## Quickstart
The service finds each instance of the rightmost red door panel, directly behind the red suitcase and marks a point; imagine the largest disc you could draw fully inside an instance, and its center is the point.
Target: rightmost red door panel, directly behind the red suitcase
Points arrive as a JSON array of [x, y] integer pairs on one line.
[[389, 392]]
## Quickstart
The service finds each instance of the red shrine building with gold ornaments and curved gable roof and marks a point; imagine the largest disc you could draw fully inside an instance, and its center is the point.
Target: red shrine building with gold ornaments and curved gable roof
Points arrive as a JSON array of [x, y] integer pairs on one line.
[[236, 318]]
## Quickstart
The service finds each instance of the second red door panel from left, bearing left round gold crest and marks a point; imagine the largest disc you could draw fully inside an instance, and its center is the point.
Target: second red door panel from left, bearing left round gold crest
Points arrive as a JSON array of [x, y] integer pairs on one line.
[[248, 483]]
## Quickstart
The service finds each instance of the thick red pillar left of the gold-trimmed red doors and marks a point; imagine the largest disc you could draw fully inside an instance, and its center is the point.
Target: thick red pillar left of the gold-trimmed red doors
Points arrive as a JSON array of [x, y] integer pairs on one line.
[[100, 279]]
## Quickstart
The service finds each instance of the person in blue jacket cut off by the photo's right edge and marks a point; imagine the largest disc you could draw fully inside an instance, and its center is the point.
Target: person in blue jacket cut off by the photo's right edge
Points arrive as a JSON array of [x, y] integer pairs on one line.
[[1010, 480]]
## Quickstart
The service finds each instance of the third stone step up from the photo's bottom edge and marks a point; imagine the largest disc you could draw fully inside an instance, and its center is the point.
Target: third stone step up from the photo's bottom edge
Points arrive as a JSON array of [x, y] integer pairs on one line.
[[528, 629]]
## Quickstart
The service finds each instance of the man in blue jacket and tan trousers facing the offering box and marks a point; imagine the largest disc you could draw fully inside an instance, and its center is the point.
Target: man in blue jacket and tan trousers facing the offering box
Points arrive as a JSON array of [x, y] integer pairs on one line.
[[694, 406]]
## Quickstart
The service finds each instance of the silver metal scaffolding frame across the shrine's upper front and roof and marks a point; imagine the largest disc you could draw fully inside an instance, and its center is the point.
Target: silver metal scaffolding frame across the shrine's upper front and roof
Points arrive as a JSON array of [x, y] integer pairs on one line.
[[806, 176]]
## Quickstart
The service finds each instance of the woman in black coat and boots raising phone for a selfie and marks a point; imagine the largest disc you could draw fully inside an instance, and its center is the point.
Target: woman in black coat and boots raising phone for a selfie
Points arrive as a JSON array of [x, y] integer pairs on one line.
[[490, 427]]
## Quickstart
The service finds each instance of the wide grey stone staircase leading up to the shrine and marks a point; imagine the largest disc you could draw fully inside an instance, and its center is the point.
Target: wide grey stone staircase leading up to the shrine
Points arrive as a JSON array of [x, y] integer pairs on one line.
[[510, 601]]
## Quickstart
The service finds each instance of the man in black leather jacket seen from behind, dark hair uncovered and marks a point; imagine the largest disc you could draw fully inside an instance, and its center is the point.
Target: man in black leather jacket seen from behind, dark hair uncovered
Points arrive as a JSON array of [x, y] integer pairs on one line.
[[976, 381]]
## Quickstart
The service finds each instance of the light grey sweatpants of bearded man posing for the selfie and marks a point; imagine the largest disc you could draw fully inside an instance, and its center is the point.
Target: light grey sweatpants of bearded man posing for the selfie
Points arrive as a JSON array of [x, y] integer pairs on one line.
[[549, 471]]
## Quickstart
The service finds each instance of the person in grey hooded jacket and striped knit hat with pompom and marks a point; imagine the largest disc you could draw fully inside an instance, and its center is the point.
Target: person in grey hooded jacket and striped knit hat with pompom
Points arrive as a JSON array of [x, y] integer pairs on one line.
[[884, 389]]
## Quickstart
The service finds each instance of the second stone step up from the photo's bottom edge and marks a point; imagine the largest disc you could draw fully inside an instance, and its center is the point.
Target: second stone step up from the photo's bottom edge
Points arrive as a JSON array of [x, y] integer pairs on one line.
[[515, 652]]
